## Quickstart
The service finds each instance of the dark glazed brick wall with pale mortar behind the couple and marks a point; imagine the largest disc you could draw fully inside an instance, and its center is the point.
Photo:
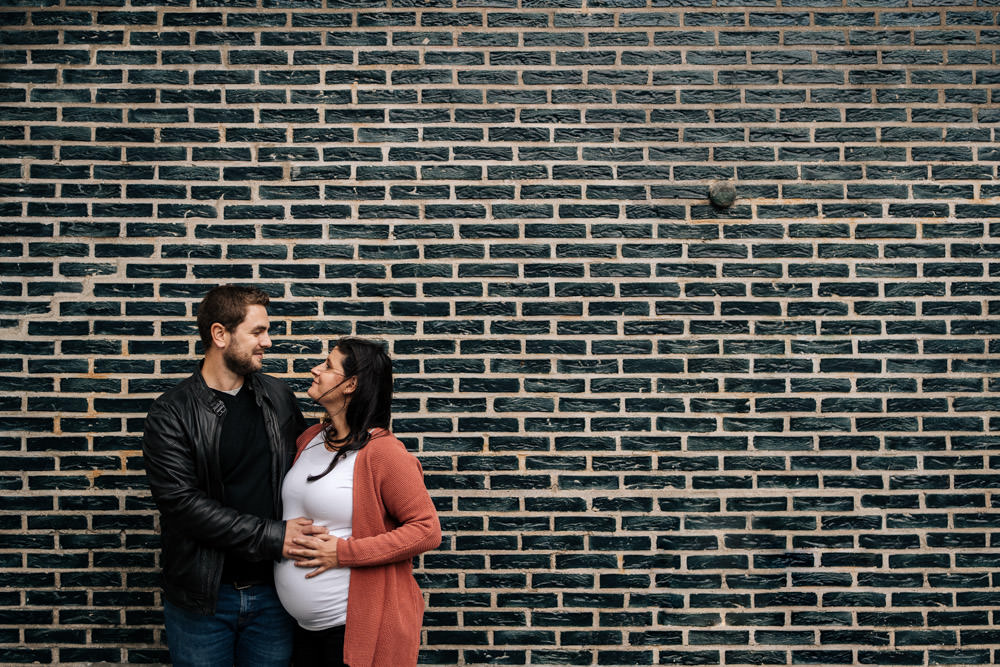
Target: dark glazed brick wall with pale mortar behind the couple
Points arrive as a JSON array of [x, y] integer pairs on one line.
[[657, 431]]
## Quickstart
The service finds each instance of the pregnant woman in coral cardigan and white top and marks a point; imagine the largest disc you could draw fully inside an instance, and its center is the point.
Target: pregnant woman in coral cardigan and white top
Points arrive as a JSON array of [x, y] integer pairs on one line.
[[358, 604]]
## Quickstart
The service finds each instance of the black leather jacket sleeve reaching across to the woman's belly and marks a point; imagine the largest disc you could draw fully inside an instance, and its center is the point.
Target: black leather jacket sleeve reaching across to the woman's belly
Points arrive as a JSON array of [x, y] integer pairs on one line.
[[171, 470]]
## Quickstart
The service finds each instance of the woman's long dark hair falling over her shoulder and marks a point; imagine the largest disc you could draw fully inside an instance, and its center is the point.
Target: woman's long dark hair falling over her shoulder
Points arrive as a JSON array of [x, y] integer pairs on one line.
[[371, 403]]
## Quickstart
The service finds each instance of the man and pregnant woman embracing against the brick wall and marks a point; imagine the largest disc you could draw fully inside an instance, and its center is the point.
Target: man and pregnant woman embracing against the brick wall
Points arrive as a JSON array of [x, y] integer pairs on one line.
[[284, 544]]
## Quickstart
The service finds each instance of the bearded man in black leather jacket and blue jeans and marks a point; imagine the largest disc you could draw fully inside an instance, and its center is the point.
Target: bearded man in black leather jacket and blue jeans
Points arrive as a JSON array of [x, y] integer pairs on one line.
[[216, 449]]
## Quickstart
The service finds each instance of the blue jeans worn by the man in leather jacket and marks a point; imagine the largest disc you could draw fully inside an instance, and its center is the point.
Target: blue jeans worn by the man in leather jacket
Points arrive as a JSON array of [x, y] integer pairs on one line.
[[249, 628]]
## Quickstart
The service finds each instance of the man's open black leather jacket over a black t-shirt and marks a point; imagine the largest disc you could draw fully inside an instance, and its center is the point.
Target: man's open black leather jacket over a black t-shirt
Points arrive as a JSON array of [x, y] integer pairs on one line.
[[180, 446]]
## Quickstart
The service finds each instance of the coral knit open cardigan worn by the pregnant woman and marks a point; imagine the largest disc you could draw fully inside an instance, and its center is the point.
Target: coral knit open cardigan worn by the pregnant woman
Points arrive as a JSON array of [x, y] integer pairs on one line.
[[393, 521]]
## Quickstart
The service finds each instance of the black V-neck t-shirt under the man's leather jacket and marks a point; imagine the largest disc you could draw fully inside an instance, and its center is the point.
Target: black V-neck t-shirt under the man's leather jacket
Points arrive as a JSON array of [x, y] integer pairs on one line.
[[245, 459]]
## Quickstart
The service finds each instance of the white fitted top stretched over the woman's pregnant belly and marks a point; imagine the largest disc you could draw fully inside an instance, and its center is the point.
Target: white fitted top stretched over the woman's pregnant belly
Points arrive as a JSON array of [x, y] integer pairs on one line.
[[320, 602]]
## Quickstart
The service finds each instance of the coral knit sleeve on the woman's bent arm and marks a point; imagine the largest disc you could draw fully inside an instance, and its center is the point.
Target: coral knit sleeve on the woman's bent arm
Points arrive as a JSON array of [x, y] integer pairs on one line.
[[405, 498]]
